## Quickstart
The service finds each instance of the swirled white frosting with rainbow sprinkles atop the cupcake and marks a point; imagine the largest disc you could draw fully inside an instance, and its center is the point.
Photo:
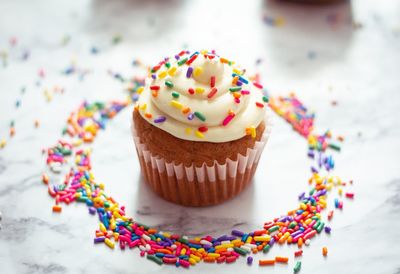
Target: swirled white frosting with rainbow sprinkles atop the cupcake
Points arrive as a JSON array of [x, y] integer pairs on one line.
[[202, 97]]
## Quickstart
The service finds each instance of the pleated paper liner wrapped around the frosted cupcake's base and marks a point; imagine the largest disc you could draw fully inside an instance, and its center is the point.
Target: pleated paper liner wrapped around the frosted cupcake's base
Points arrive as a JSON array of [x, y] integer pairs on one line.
[[199, 186]]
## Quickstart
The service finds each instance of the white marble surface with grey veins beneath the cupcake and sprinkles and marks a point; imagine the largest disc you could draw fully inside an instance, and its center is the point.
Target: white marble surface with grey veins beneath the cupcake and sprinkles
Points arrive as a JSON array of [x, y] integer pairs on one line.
[[348, 53]]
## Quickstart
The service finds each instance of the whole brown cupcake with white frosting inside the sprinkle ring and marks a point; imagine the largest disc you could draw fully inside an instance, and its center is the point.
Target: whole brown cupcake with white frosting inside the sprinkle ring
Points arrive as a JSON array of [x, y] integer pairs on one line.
[[199, 128]]
